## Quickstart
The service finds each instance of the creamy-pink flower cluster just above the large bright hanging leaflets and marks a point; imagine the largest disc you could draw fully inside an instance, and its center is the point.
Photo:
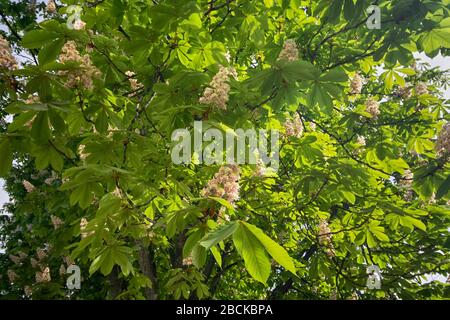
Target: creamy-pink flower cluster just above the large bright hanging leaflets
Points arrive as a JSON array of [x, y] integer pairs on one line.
[[225, 184]]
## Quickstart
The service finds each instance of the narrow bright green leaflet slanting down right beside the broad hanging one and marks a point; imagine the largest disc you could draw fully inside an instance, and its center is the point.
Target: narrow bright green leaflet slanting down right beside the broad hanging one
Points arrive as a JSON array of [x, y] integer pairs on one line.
[[278, 253]]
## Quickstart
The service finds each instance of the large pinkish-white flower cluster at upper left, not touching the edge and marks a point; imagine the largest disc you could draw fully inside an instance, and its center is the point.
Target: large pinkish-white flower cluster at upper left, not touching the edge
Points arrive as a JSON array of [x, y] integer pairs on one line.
[[85, 74]]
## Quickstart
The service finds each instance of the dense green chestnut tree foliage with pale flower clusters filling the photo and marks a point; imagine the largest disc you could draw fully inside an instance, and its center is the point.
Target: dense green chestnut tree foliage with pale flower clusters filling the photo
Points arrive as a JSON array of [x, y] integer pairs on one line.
[[364, 149]]
